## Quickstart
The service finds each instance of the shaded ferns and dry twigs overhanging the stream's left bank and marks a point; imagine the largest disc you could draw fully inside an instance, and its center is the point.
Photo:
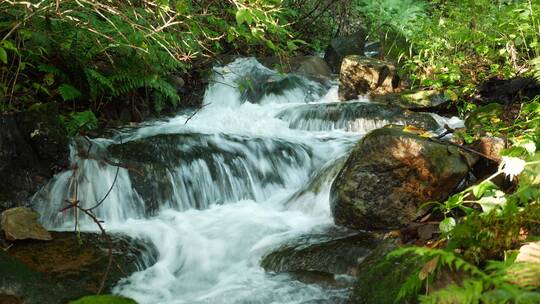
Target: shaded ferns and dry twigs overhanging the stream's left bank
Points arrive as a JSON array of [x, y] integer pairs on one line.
[[96, 52]]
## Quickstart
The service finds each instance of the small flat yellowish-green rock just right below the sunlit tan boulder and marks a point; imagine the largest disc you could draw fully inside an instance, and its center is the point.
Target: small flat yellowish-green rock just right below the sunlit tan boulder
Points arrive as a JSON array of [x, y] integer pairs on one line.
[[414, 100]]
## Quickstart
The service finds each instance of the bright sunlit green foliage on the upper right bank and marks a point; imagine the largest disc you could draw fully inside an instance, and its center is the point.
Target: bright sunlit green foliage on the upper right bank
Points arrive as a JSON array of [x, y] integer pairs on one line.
[[462, 43]]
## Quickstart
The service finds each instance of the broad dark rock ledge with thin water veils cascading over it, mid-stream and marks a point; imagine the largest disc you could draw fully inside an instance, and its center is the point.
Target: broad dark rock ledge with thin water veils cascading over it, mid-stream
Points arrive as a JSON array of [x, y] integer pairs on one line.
[[175, 167]]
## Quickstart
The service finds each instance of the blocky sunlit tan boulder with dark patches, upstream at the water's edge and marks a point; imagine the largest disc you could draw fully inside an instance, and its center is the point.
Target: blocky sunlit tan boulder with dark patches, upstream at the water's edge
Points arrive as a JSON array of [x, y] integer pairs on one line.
[[362, 75]]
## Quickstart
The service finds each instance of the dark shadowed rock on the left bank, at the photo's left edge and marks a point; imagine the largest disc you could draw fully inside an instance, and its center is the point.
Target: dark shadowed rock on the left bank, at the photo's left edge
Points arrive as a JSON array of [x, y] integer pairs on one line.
[[33, 146]]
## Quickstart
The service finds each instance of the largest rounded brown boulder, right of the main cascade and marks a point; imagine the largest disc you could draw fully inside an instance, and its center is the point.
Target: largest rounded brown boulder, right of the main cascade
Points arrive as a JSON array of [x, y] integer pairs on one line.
[[389, 174]]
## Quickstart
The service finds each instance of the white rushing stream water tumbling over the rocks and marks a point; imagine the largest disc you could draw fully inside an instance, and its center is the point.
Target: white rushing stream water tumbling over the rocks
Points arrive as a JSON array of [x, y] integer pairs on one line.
[[218, 192]]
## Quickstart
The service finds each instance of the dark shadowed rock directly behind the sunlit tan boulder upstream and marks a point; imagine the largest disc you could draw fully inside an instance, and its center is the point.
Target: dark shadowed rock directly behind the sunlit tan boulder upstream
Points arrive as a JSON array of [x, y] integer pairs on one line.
[[343, 46]]
